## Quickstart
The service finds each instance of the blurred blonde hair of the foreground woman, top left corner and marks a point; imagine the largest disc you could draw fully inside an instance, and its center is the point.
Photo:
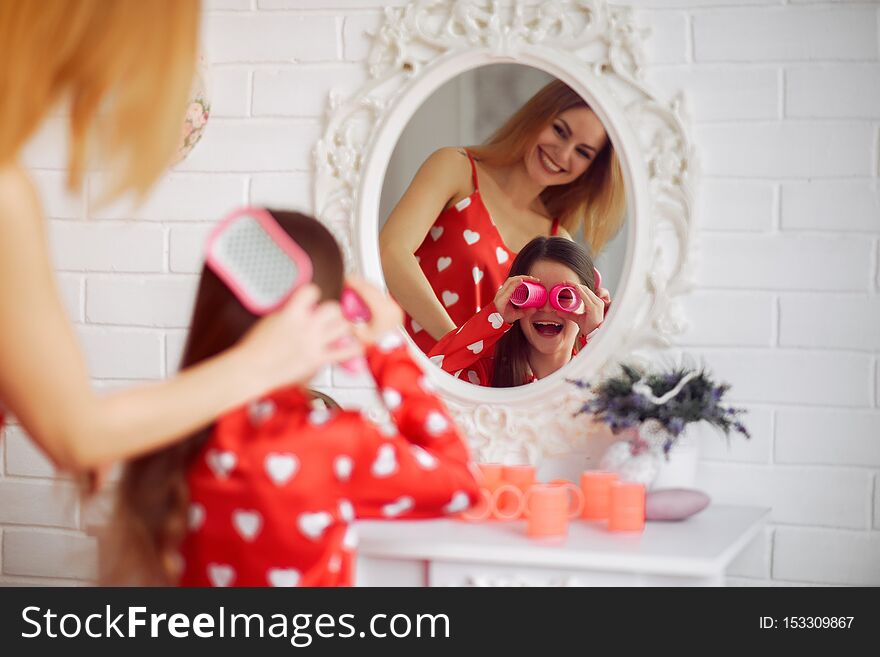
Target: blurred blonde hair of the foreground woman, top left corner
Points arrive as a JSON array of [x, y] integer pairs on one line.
[[130, 61]]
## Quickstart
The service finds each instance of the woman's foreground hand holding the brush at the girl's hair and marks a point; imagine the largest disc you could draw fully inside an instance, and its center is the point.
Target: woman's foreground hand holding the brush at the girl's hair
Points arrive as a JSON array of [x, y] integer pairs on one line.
[[292, 344]]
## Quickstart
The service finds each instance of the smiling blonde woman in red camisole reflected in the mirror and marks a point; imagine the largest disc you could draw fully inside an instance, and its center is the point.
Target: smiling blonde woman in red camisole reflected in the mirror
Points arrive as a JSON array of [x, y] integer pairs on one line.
[[448, 245]]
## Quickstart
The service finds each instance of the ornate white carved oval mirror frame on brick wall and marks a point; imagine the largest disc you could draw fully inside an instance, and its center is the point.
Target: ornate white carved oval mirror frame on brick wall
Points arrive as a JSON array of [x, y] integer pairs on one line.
[[597, 50]]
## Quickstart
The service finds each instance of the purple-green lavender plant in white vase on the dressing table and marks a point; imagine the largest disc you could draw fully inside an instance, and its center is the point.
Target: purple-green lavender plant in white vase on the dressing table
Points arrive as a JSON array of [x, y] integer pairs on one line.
[[631, 397]]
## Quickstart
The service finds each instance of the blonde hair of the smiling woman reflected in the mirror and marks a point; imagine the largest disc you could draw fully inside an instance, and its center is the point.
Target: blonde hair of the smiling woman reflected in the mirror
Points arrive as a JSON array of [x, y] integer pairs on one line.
[[596, 200]]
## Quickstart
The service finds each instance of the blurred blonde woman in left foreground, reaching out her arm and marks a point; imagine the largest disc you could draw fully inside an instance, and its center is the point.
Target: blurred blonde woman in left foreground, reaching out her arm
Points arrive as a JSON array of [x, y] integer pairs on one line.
[[125, 68]]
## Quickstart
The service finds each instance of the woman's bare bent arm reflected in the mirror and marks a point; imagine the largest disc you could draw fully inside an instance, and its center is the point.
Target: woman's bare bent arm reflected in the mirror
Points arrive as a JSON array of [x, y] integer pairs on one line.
[[444, 176]]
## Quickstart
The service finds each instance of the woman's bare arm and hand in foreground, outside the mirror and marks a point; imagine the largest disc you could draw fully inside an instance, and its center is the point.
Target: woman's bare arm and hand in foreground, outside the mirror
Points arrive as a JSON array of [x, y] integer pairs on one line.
[[44, 380]]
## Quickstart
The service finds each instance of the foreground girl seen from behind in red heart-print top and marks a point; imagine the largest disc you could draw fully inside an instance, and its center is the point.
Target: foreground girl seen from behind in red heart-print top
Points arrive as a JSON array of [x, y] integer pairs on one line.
[[267, 494]]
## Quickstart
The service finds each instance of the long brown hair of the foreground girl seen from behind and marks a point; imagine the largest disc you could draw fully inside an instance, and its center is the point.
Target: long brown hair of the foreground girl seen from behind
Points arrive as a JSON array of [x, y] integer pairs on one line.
[[150, 516]]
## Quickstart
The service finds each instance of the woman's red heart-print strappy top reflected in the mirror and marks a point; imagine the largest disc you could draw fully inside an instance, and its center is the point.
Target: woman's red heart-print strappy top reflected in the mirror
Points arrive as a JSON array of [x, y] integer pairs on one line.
[[464, 259]]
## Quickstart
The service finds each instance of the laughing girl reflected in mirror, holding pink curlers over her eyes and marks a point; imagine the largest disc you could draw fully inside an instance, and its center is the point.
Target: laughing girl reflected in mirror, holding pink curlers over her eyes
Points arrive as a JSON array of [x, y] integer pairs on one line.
[[504, 346]]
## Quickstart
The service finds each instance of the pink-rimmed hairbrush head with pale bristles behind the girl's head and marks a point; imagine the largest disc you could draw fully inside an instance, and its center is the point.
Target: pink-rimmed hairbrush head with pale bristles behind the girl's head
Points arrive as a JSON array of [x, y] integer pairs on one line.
[[256, 259]]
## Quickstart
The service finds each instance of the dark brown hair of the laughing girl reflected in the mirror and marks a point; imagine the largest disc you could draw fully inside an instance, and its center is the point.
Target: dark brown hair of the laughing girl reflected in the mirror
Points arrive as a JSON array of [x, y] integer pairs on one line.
[[512, 350]]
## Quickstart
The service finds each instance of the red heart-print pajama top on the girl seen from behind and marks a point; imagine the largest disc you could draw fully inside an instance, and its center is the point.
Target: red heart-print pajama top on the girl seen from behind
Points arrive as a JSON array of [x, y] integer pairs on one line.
[[274, 490]]
